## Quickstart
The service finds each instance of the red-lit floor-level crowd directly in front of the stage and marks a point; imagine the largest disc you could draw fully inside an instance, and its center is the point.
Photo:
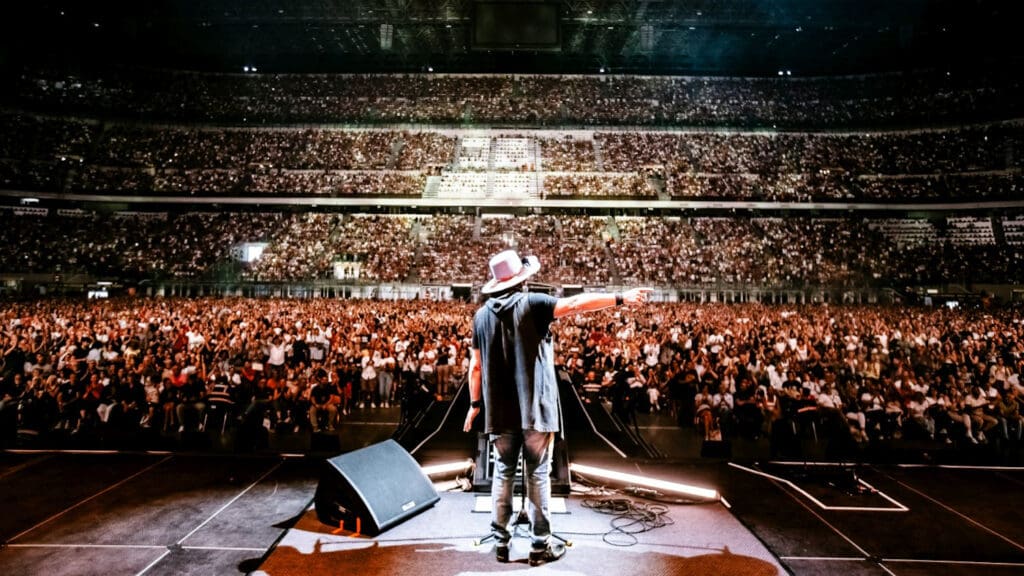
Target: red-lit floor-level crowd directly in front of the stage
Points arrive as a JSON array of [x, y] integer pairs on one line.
[[868, 374]]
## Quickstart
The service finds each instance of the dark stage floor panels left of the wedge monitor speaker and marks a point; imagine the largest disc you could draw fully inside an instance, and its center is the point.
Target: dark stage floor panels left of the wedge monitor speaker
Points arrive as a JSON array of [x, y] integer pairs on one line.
[[138, 514]]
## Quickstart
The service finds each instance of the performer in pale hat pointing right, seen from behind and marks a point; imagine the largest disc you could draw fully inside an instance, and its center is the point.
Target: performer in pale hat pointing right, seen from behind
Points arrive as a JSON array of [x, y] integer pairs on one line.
[[513, 373]]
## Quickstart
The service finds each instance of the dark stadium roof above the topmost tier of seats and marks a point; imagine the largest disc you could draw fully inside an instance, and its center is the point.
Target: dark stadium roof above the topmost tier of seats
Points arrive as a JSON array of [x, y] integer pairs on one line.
[[718, 37]]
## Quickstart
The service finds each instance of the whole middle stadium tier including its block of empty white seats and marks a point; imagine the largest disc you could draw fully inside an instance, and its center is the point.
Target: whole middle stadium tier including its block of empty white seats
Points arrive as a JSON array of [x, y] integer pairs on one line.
[[77, 159]]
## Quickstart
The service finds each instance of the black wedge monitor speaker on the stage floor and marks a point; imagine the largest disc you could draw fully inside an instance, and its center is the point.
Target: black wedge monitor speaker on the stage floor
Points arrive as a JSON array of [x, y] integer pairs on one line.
[[373, 489]]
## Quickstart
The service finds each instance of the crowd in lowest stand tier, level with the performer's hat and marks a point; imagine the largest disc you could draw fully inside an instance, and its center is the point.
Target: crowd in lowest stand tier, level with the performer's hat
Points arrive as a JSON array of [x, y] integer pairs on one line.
[[847, 252]]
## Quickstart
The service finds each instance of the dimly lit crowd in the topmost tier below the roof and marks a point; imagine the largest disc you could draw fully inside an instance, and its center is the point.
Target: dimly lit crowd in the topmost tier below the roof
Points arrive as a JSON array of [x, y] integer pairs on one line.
[[857, 101]]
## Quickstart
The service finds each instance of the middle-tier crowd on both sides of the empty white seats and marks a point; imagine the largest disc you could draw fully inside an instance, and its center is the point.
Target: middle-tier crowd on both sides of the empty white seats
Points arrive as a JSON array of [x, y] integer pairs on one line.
[[955, 163]]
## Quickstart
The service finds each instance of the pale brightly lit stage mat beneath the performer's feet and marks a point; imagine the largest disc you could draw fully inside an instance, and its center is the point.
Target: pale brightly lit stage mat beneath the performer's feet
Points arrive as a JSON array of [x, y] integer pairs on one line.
[[695, 540]]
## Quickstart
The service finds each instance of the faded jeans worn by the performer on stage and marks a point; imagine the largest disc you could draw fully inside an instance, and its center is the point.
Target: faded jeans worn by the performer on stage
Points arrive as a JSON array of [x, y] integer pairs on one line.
[[536, 449]]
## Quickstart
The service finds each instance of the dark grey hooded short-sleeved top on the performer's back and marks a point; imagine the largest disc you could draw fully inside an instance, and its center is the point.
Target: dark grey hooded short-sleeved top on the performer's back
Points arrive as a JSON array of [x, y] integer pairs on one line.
[[518, 363]]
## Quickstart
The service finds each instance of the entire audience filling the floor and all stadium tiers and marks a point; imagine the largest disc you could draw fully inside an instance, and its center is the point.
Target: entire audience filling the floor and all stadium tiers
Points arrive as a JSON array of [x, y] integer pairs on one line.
[[869, 374]]
